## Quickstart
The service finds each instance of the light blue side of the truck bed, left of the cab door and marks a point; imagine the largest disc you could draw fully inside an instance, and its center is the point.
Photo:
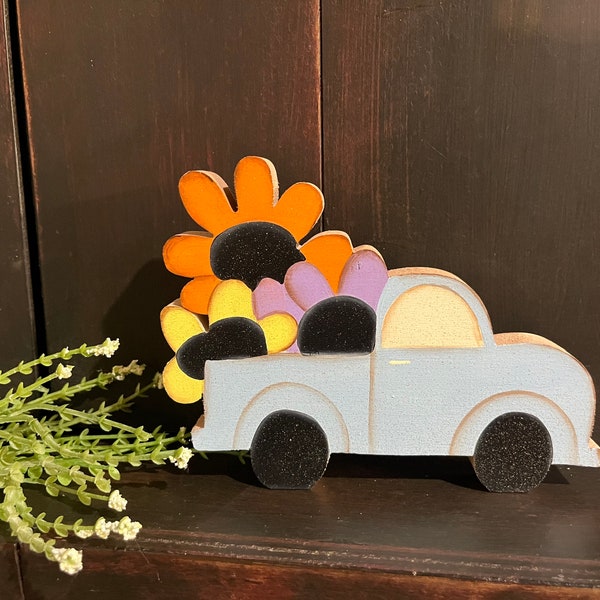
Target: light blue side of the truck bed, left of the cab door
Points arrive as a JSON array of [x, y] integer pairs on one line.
[[233, 387]]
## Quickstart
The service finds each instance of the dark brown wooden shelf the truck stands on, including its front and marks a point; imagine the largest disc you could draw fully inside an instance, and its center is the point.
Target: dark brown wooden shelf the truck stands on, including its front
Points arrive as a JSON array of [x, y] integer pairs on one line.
[[373, 527]]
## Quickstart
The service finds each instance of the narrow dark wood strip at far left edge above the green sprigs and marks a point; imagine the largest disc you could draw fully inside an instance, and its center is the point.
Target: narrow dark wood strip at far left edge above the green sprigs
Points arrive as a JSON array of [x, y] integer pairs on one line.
[[16, 308]]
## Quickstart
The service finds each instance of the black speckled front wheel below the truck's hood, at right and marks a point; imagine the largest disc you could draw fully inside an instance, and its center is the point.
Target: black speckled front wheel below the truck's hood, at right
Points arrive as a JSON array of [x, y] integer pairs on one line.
[[513, 454]]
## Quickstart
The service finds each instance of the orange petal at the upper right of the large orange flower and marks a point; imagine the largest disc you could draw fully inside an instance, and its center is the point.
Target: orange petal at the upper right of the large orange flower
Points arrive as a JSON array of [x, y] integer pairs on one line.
[[299, 209]]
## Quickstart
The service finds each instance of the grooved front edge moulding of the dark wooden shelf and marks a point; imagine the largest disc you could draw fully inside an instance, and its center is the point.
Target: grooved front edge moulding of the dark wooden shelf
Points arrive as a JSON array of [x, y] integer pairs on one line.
[[395, 560]]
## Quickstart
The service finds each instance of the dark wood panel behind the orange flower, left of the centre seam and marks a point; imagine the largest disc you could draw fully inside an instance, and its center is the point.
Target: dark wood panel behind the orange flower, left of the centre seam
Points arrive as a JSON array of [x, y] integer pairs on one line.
[[122, 99]]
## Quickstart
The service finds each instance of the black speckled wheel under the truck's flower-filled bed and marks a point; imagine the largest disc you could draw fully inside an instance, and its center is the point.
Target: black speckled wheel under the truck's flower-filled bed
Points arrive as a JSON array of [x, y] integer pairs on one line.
[[289, 451]]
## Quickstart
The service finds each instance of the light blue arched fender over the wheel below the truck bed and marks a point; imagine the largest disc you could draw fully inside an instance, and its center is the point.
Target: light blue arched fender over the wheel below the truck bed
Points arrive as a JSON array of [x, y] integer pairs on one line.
[[299, 398]]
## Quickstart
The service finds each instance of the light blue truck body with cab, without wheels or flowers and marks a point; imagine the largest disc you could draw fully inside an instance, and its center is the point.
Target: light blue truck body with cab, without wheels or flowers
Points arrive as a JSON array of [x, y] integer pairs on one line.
[[428, 398]]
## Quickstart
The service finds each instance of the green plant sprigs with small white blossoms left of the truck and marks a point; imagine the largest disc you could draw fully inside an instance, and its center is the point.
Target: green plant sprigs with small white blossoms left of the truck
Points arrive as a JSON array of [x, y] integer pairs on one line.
[[42, 443]]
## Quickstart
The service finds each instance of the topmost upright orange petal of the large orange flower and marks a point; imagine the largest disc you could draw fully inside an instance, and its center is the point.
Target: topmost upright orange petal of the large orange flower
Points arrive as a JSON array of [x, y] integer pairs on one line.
[[256, 189]]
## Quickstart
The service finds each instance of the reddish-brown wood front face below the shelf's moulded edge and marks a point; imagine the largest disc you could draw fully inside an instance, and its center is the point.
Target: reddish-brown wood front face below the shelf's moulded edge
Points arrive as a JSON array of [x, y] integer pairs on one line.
[[149, 575]]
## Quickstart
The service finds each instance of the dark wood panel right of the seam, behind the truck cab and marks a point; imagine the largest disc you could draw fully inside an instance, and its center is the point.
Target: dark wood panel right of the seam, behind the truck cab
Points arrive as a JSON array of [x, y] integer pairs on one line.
[[464, 135]]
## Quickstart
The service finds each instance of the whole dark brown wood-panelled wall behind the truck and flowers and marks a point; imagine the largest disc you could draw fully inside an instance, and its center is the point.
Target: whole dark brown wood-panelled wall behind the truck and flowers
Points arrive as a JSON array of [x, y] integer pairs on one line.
[[462, 134]]
